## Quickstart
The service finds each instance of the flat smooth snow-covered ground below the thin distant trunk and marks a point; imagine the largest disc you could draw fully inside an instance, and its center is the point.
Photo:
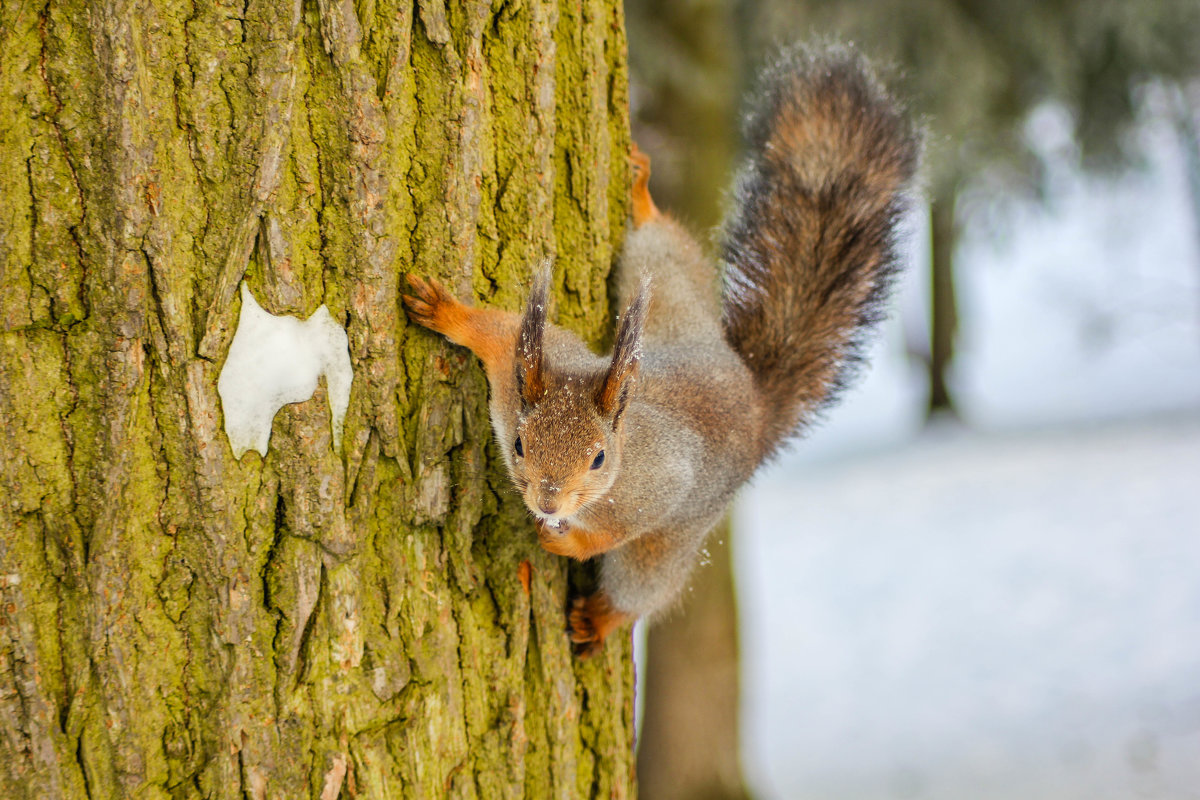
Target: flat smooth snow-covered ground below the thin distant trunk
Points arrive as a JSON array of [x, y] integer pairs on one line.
[[979, 617]]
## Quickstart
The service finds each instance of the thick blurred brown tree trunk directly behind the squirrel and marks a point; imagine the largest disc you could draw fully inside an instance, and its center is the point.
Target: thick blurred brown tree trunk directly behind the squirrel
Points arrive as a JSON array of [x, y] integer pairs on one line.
[[685, 87]]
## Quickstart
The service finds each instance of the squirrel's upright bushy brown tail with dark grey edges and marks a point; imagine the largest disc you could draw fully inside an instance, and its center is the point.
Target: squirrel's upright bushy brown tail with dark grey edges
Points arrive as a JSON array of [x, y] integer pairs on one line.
[[811, 251]]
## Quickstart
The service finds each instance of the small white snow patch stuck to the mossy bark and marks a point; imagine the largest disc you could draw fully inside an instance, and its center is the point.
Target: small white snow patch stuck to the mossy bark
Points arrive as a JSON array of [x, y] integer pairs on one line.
[[278, 360]]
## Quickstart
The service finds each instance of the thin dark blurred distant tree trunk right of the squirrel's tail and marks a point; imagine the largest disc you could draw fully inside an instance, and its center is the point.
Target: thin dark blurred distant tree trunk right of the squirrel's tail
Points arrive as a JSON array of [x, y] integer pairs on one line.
[[944, 322]]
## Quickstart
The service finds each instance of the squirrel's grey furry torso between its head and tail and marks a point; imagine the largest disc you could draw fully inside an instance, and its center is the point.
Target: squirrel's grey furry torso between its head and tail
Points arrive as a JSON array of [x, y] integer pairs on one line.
[[689, 422]]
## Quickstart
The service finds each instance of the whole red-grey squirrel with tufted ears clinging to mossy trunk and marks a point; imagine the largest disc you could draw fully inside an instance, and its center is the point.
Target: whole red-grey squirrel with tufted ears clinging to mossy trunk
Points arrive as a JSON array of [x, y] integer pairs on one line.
[[635, 458]]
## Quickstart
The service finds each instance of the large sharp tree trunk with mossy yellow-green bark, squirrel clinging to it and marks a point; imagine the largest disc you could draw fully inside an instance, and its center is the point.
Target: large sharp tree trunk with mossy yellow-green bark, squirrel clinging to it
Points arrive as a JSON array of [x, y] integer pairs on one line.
[[373, 619]]
